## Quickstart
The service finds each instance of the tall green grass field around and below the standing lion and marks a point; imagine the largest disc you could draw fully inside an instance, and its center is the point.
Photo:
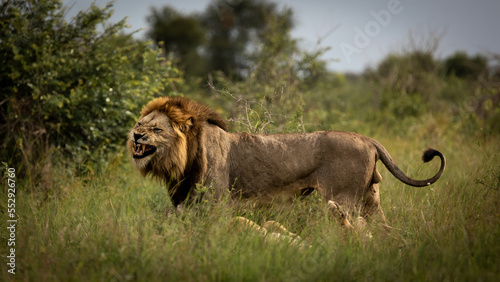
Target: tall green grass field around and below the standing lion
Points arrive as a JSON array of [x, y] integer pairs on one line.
[[116, 226]]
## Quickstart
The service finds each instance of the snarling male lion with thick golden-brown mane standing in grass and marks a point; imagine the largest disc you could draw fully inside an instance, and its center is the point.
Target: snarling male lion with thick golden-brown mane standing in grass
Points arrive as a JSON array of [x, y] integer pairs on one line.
[[185, 143]]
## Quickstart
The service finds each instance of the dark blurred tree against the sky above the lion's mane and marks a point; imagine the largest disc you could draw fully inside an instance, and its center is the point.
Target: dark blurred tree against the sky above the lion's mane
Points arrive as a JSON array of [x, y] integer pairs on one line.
[[219, 38]]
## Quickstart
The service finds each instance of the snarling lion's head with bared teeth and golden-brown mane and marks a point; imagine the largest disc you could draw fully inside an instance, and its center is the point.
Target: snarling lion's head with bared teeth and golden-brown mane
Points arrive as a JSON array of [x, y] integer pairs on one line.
[[164, 141]]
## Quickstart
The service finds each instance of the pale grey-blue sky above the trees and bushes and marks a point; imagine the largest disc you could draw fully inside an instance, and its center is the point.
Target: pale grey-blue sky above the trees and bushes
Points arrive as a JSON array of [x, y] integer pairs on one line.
[[358, 33]]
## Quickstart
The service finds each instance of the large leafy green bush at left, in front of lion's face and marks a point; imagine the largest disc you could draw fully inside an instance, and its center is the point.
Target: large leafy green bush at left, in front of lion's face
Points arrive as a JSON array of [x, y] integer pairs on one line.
[[72, 87]]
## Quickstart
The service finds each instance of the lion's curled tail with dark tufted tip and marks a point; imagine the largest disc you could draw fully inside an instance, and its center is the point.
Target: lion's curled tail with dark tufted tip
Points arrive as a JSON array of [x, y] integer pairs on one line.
[[428, 155]]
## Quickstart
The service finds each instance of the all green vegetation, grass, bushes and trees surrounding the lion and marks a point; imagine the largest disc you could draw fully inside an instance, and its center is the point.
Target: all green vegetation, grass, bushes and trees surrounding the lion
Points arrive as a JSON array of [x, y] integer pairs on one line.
[[71, 90]]
